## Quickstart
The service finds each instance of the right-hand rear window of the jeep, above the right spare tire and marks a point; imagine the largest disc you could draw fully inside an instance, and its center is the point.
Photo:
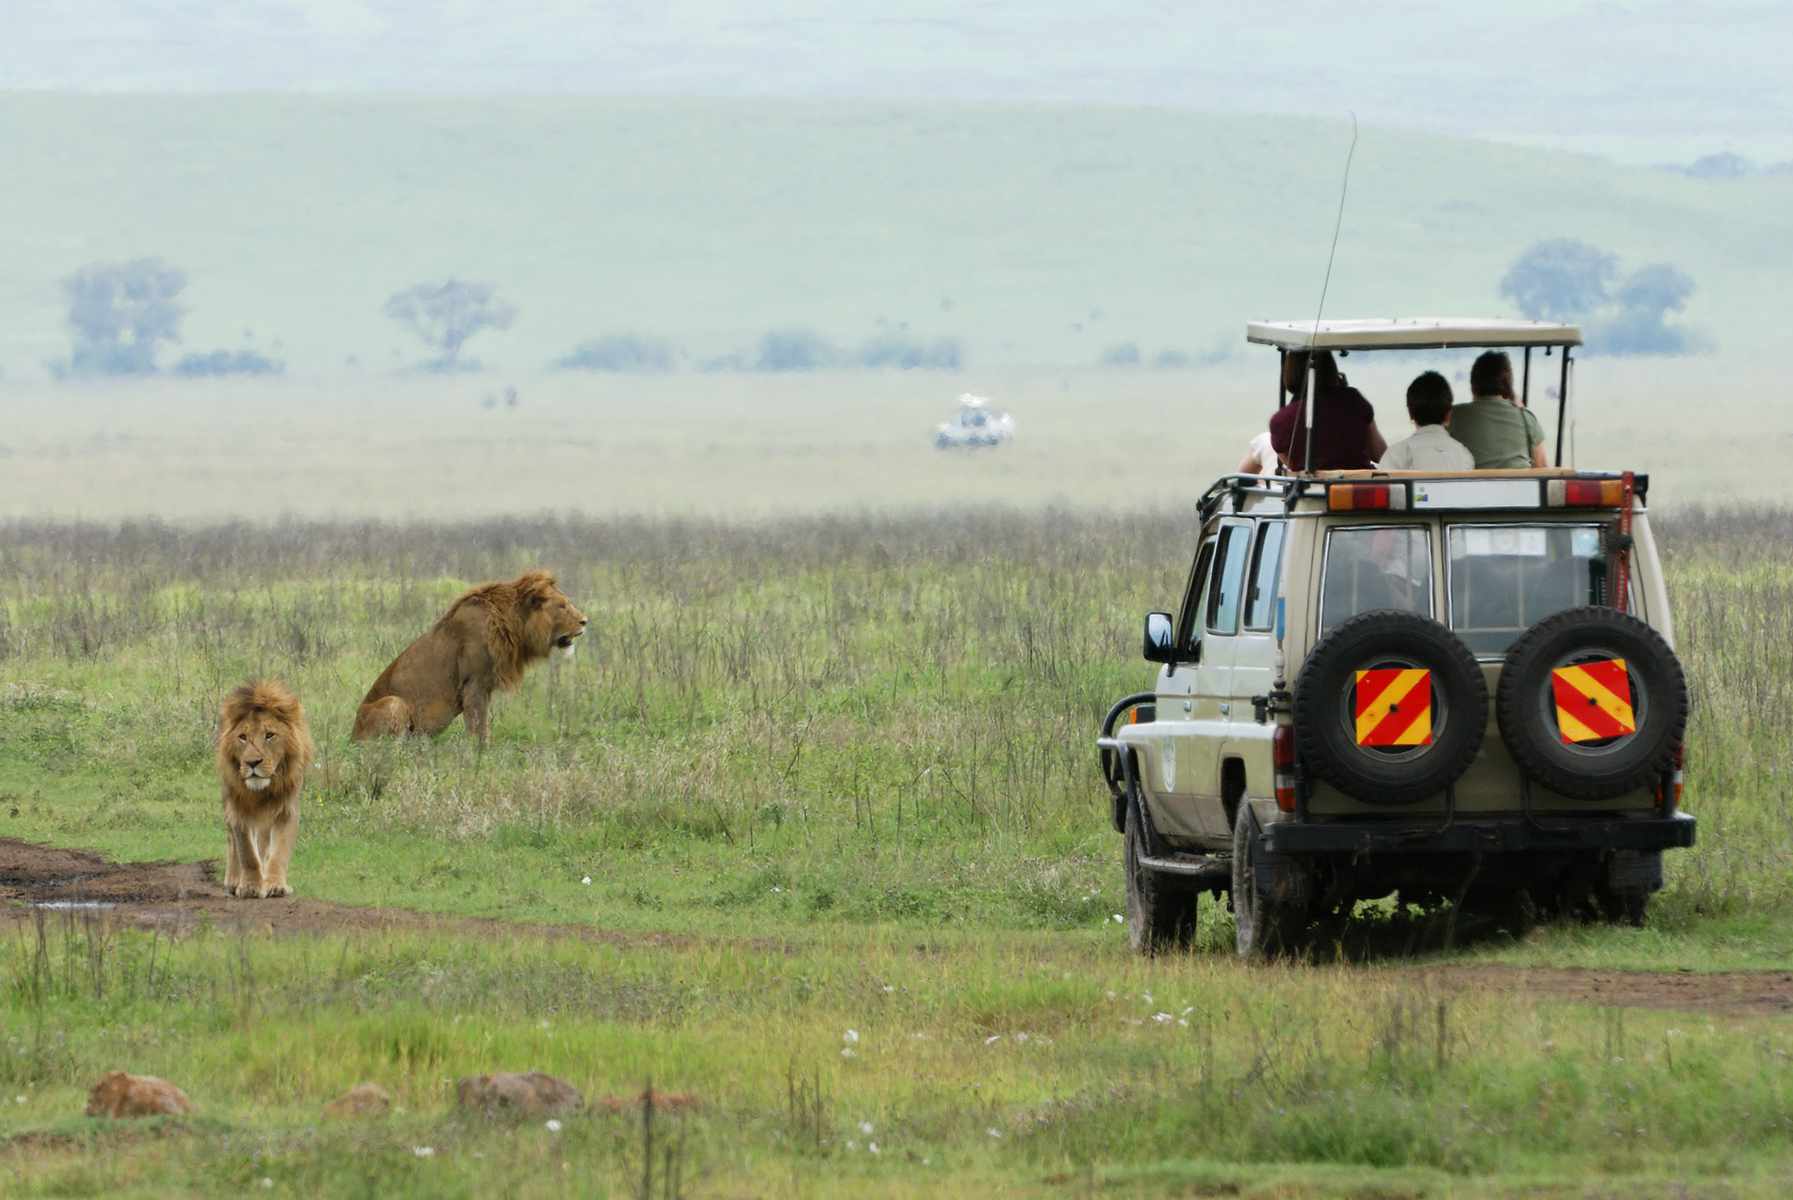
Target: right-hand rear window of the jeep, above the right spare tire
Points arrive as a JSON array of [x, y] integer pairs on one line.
[[1507, 578]]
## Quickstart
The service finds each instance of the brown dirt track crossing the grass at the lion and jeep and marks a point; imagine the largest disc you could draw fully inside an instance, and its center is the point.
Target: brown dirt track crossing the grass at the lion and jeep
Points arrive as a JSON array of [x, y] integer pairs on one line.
[[178, 896]]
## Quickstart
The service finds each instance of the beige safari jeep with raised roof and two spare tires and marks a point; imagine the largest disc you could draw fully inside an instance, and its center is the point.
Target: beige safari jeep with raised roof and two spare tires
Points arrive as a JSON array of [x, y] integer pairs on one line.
[[1451, 686]]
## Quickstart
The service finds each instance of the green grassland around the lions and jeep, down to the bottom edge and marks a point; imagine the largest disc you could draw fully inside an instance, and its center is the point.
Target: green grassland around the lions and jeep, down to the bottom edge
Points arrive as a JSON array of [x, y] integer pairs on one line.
[[811, 830]]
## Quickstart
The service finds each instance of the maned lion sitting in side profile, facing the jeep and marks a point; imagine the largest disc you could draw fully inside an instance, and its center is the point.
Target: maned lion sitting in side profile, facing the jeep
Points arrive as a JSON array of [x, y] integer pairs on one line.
[[481, 645]]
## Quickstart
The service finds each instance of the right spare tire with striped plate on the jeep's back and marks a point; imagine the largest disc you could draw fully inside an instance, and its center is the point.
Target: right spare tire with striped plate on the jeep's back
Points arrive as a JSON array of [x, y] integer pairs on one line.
[[1593, 704]]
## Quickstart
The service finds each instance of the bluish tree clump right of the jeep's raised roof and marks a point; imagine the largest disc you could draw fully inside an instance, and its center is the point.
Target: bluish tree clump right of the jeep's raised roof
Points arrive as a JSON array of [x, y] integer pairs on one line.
[[1622, 315]]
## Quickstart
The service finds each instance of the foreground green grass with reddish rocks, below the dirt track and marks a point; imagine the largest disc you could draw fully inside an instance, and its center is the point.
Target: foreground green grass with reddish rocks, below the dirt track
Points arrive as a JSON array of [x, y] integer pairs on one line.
[[974, 1065]]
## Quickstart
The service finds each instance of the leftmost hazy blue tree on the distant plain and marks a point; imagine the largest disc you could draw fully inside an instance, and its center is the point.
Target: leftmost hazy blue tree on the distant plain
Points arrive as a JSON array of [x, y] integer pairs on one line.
[[119, 315]]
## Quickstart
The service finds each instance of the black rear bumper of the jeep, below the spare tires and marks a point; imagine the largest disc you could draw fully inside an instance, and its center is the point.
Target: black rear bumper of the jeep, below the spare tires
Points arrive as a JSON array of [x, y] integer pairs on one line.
[[1480, 835]]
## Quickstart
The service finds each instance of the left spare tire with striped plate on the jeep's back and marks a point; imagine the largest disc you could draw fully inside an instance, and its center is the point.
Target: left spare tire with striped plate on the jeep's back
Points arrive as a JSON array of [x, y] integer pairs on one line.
[[1390, 708]]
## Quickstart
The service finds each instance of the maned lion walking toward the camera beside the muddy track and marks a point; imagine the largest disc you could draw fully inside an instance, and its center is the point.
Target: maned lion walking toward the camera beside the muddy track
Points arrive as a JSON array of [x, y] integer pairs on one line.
[[264, 749]]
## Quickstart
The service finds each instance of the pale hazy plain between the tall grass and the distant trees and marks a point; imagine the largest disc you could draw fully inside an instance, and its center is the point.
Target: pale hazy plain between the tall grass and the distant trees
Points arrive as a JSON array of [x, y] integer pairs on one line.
[[777, 446]]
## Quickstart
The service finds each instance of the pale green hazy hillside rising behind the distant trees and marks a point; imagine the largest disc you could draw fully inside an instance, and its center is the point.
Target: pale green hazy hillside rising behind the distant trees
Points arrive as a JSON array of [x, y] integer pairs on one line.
[[1037, 236]]
